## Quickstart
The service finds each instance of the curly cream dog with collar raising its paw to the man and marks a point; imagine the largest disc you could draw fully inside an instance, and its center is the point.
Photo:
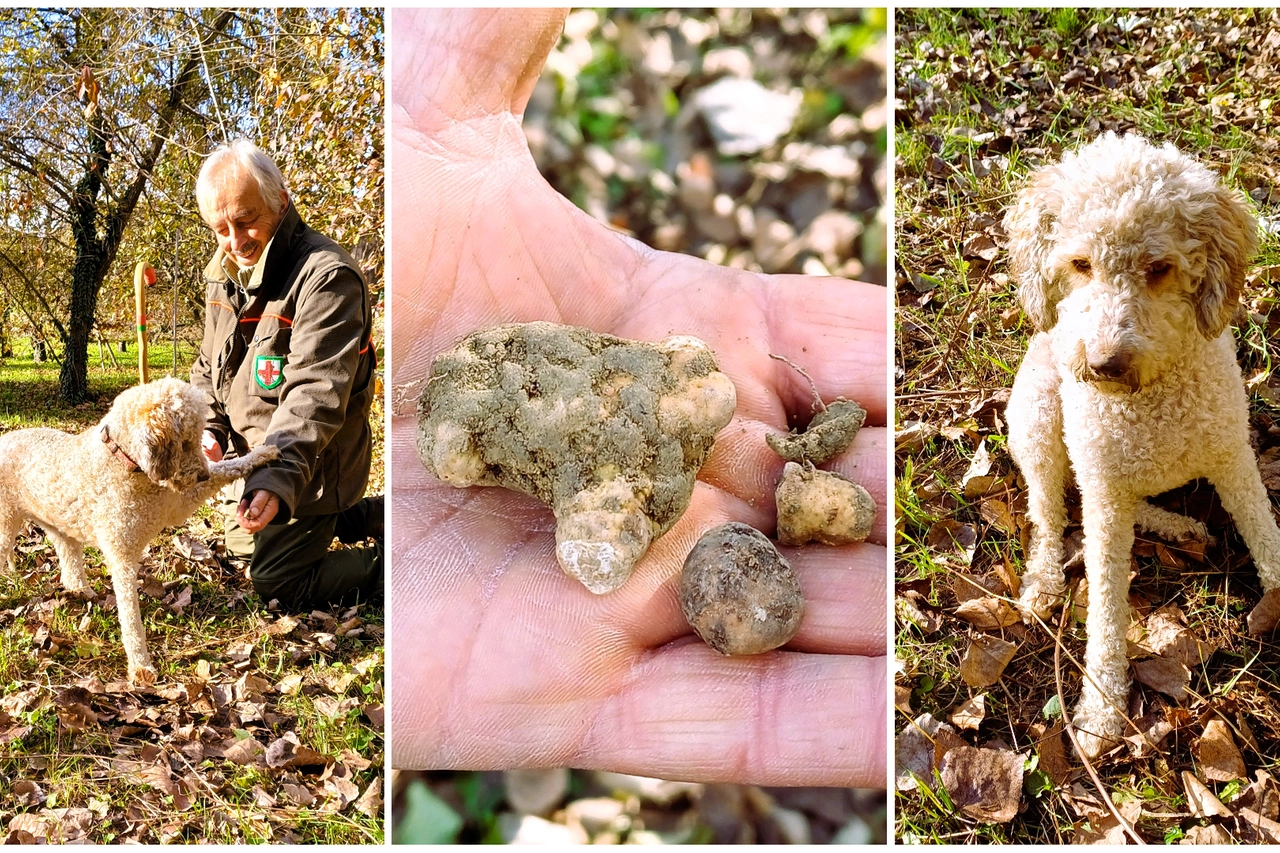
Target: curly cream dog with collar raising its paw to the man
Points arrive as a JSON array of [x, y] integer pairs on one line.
[[116, 487]]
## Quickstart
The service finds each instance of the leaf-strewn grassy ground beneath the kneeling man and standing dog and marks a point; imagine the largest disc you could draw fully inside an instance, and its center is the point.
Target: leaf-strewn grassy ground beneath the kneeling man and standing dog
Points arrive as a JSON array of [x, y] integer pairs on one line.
[[264, 727]]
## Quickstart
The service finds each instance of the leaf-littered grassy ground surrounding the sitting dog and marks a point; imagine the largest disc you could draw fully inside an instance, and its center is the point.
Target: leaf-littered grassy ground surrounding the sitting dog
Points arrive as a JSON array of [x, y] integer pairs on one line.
[[985, 98]]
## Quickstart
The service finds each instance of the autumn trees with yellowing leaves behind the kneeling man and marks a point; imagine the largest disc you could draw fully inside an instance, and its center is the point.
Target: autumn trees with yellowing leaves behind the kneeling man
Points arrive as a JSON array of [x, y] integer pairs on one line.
[[106, 116]]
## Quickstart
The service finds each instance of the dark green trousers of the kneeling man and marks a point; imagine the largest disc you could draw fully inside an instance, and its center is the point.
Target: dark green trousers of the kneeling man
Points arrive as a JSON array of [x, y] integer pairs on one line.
[[292, 563]]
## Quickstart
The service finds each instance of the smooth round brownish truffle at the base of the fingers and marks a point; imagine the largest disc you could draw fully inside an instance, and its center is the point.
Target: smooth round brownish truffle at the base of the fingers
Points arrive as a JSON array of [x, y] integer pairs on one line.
[[739, 594]]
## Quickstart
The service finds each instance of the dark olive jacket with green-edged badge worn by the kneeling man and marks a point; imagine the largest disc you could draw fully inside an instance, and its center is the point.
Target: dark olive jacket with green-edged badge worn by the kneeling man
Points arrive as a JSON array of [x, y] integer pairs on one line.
[[290, 362]]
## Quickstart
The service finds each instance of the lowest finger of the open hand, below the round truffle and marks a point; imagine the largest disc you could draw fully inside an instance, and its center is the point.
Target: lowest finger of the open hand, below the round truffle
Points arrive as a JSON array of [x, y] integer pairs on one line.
[[781, 719]]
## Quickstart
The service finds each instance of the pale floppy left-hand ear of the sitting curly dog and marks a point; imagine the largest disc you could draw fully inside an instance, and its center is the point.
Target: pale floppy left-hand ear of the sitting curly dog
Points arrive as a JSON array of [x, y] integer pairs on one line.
[[1028, 225]]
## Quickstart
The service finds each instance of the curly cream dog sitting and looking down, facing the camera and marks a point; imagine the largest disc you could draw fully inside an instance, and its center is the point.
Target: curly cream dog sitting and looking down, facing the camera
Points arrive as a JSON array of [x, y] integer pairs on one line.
[[1131, 262]]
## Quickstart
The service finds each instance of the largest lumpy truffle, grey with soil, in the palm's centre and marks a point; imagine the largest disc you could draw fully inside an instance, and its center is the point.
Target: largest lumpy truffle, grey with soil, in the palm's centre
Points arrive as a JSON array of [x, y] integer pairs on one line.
[[609, 432]]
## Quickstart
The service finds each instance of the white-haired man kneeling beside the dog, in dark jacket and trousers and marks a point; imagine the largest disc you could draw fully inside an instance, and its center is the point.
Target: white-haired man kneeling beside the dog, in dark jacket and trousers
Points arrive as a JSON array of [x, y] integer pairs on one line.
[[289, 361]]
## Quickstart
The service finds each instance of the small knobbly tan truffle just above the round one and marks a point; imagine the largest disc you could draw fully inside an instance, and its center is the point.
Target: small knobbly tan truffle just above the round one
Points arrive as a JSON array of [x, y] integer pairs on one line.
[[822, 507]]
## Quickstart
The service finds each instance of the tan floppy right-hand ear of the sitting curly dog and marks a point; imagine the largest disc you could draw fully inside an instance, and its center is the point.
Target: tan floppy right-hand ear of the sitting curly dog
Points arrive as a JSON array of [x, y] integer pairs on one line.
[[1231, 238]]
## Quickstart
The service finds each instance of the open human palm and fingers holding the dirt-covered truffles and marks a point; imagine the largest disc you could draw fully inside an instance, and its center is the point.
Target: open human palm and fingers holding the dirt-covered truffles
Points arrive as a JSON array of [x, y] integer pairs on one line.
[[500, 659]]
